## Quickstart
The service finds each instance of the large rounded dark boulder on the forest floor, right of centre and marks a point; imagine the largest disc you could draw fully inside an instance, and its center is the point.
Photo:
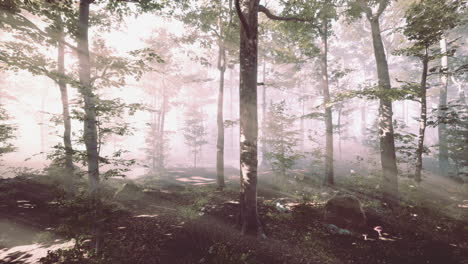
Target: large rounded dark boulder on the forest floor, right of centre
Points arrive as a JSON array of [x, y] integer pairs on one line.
[[345, 211]]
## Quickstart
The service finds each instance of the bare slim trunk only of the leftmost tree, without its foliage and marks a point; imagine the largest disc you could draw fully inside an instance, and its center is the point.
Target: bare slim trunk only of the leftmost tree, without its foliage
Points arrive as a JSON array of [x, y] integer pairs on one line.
[[65, 114]]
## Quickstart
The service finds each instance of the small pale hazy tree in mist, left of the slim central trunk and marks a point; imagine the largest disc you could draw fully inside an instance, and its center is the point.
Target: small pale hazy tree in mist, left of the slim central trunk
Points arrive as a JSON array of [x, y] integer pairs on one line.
[[195, 131]]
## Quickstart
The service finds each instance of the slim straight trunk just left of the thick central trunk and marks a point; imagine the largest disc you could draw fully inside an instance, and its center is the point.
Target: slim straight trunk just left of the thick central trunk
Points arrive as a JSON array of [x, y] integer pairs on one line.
[[220, 118]]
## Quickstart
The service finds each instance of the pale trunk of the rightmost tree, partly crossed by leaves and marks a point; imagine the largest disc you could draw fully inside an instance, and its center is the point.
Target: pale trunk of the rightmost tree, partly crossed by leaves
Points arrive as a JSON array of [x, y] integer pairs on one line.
[[442, 128]]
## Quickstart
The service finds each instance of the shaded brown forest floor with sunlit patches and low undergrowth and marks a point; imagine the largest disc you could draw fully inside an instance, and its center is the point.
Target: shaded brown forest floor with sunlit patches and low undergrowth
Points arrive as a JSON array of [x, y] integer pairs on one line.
[[184, 219]]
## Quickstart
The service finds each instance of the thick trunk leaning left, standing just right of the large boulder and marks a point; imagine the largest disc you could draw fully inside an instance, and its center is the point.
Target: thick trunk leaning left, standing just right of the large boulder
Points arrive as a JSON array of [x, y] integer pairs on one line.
[[386, 137]]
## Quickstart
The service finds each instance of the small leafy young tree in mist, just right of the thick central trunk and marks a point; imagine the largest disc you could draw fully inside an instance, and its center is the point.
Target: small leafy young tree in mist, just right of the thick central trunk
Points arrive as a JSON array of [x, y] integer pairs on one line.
[[281, 139]]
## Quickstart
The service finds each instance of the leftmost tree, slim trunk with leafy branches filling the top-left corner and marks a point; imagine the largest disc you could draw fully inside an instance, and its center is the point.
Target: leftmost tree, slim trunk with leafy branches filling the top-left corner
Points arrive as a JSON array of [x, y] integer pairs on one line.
[[21, 54]]
